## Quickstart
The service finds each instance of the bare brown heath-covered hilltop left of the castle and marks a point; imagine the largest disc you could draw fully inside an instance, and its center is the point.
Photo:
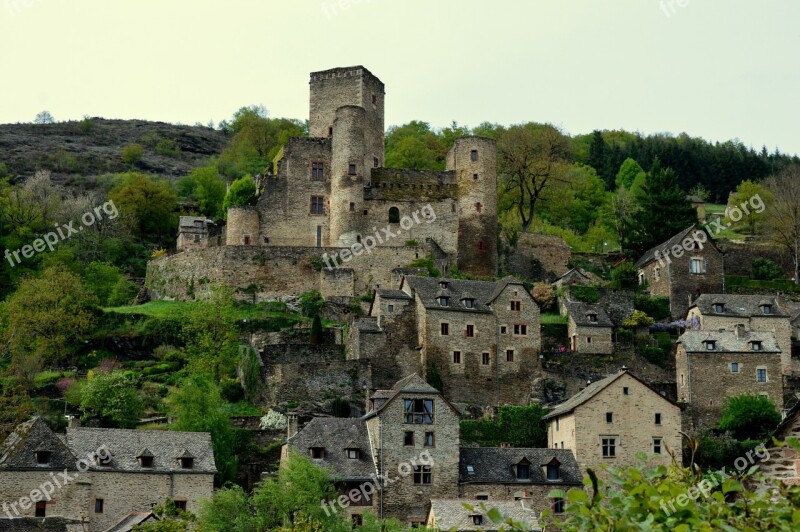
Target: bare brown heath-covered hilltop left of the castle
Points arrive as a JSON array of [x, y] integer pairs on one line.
[[75, 151]]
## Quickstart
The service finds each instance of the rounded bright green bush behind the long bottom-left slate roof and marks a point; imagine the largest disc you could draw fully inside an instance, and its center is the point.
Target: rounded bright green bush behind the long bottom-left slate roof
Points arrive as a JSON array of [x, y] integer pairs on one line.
[[113, 398]]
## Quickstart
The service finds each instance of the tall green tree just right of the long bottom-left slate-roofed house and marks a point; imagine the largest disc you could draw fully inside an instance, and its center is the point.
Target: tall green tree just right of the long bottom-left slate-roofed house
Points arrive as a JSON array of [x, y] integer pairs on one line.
[[197, 406]]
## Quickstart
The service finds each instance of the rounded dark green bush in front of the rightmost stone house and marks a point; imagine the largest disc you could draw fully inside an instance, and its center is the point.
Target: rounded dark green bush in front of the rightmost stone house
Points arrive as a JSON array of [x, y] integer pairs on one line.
[[749, 416]]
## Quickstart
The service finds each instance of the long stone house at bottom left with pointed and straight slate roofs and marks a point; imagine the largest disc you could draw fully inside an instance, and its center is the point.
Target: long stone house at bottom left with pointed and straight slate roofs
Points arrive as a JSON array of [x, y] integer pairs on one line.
[[99, 477]]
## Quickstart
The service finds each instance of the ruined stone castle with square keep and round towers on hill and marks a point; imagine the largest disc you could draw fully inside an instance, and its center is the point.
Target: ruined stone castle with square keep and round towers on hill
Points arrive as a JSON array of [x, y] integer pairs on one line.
[[330, 216]]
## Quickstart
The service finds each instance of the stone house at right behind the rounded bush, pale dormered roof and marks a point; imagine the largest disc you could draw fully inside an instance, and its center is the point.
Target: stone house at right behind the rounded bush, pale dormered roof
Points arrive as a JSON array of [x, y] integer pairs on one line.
[[711, 366]]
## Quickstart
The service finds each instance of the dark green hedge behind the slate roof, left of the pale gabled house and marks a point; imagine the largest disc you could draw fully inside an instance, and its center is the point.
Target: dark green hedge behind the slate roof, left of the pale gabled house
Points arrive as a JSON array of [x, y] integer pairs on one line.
[[521, 426]]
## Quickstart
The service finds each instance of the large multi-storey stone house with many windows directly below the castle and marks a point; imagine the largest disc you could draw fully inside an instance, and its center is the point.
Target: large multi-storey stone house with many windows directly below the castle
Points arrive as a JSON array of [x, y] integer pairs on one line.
[[482, 339]]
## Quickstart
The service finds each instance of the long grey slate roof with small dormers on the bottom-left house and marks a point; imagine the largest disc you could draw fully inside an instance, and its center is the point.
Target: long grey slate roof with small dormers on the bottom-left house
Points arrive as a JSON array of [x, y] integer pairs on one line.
[[126, 445]]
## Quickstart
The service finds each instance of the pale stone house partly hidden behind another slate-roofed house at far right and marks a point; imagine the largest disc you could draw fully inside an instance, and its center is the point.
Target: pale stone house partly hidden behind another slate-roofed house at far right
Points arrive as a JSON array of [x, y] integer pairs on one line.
[[760, 313]]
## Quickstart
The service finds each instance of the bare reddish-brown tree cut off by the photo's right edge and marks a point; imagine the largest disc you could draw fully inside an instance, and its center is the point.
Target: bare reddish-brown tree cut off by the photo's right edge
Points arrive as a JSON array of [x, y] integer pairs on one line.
[[783, 213]]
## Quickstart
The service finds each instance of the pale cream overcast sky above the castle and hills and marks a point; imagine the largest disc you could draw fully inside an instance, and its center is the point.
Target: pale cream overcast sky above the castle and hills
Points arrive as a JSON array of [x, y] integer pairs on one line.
[[717, 69]]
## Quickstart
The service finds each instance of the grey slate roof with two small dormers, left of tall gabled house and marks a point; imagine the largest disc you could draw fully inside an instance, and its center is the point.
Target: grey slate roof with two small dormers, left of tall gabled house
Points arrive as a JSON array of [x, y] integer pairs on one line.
[[336, 435]]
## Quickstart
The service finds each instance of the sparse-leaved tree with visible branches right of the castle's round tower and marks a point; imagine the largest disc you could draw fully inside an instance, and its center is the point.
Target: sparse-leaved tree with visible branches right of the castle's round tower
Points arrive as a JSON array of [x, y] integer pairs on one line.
[[531, 157]]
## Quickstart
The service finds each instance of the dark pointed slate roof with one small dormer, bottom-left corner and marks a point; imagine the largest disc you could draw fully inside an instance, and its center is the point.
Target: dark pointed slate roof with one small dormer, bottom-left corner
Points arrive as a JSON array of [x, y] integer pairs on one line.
[[19, 448]]
